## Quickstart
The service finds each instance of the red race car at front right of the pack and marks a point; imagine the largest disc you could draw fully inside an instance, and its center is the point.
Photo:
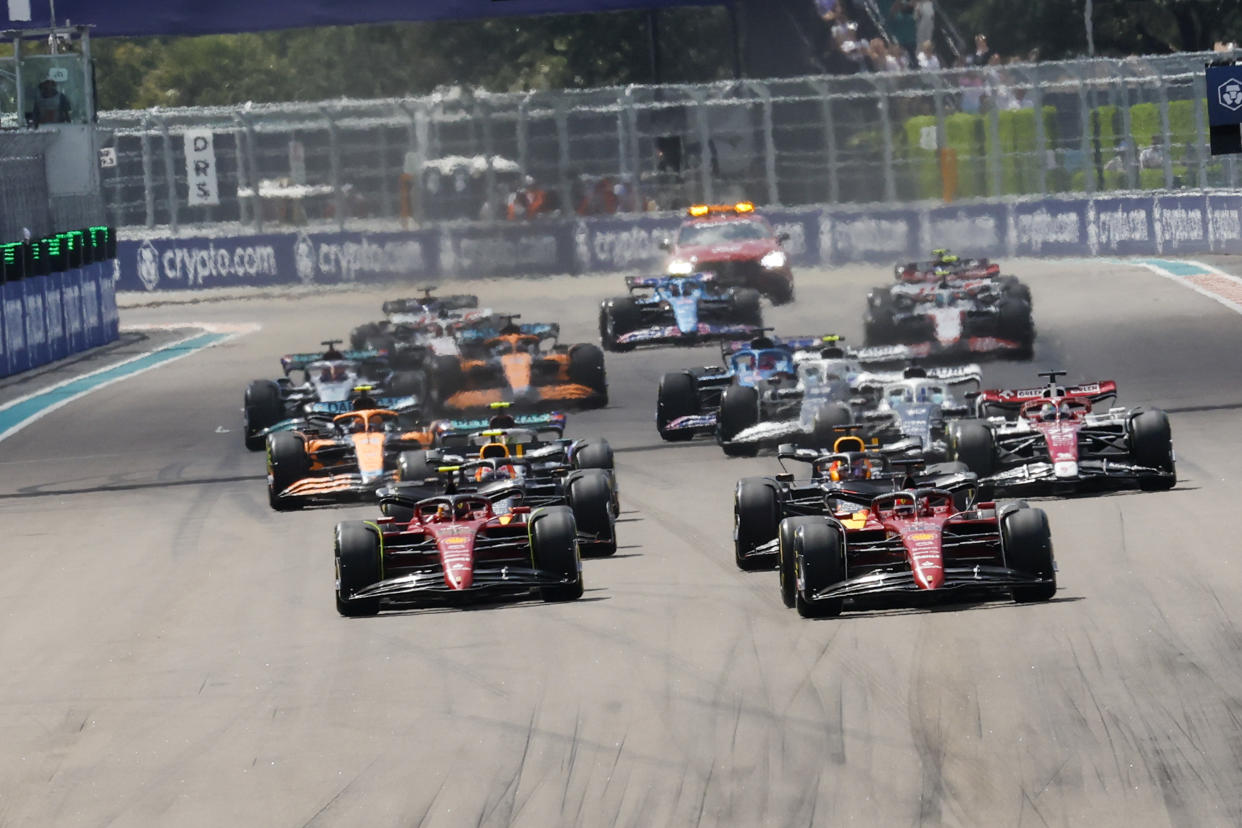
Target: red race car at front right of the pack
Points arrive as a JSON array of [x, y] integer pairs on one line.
[[918, 544]]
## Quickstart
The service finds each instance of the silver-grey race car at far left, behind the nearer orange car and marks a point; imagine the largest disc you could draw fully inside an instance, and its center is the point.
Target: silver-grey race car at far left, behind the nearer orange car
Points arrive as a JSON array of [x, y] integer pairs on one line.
[[327, 377]]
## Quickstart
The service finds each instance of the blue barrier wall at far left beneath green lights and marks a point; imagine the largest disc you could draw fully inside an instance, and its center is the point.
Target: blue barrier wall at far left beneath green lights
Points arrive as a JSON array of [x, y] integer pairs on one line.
[[47, 318]]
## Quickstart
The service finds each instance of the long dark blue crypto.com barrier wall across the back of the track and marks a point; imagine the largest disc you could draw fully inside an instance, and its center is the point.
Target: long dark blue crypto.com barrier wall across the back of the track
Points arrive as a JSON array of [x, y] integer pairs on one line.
[[1130, 225]]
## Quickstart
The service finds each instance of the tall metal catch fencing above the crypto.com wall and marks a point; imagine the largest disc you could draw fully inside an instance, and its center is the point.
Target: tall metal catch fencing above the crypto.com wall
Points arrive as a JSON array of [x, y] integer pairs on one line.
[[1019, 130]]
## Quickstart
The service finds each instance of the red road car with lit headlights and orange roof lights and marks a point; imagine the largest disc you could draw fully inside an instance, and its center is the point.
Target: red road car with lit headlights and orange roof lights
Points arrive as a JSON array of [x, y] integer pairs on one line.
[[735, 244]]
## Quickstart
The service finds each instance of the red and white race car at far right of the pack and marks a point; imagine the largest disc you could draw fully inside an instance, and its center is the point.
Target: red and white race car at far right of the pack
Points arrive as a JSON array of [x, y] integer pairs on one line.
[[1053, 440]]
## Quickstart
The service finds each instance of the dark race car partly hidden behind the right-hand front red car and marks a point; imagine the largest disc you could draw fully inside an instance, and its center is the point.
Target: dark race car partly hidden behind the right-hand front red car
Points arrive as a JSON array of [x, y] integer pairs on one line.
[[850, 470]]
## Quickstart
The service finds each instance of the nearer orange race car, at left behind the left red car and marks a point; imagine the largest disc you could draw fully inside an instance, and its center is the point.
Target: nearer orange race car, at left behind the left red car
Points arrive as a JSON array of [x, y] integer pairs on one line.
[[345, 457]]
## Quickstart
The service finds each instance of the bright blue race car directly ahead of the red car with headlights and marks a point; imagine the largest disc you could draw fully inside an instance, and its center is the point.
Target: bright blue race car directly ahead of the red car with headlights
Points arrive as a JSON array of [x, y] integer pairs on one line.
[[679, 311]]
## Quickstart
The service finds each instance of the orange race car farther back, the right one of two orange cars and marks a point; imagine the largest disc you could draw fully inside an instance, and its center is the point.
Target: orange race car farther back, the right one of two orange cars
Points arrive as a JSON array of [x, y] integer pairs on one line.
[[522, 366]]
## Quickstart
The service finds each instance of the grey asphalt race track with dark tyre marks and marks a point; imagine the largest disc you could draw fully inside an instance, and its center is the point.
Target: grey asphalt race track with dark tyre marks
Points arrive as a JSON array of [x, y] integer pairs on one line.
[[171, 655]]
